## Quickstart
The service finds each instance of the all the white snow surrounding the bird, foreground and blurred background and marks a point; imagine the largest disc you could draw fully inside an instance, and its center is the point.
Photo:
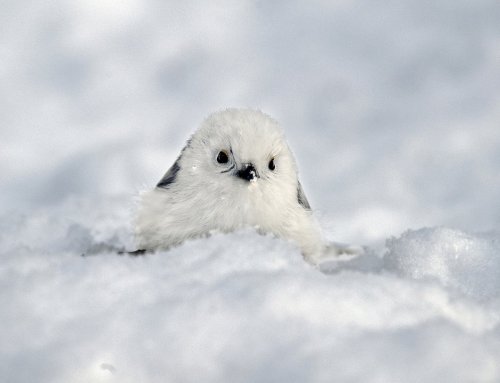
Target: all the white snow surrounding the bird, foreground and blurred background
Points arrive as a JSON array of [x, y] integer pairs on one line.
[[392, 109]]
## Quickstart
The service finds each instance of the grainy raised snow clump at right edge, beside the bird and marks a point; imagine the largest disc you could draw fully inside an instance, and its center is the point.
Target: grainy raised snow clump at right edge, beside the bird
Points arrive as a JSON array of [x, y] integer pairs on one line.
[[464, 262]]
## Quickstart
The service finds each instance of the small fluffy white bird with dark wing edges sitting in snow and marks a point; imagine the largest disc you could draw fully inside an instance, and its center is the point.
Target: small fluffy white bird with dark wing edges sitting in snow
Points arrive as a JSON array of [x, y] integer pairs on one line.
[[235, 171]]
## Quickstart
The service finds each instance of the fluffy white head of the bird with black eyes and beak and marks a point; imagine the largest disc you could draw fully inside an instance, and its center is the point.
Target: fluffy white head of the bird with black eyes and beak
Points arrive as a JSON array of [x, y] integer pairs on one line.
[[244, 147]]
